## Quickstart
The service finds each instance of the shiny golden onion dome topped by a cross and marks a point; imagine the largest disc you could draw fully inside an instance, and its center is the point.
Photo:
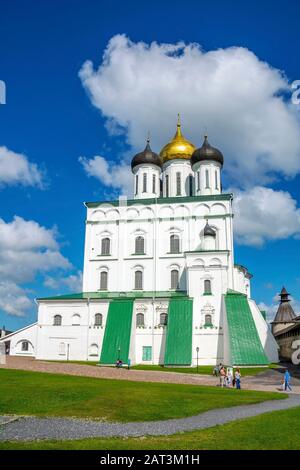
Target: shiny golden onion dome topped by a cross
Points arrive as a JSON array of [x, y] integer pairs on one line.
[[178, 147]]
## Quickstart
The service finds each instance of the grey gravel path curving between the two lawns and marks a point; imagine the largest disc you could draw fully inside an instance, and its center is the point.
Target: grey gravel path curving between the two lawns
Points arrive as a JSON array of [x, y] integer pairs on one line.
[[31, 428]]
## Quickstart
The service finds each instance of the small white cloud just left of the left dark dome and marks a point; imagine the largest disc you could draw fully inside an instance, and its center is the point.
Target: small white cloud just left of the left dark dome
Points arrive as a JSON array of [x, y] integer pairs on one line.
[[112, 175]]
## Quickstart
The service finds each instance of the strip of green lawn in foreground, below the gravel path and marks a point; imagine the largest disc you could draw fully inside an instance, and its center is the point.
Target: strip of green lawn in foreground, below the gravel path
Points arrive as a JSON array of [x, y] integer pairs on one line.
[[279, 430]]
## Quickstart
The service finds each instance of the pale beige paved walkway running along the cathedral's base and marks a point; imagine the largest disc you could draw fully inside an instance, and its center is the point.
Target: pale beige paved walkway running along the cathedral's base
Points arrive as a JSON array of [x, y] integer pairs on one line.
[[269, 380]]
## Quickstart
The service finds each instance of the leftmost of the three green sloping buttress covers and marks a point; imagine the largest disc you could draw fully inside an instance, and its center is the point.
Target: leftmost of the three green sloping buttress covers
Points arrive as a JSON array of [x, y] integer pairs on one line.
[[117, 334]]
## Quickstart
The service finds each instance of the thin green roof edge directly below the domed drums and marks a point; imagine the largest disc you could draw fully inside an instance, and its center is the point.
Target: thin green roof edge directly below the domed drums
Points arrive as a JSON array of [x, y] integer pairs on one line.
[[162, 200]]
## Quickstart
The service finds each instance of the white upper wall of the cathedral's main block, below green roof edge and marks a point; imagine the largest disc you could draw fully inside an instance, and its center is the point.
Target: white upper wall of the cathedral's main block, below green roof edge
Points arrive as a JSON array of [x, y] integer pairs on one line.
[[156, 223]]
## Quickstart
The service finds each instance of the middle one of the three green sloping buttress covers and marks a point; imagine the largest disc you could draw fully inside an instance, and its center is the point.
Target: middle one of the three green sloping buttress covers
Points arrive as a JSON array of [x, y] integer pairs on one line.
[[179, 333]]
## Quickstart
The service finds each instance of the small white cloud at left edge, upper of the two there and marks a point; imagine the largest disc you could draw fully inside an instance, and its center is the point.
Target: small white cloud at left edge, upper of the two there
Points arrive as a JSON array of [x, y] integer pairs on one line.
[[16, 169]]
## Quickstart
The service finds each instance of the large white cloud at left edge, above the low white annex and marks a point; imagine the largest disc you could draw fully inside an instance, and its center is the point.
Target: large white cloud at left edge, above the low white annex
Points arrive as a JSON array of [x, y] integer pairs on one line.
[[27, 249]]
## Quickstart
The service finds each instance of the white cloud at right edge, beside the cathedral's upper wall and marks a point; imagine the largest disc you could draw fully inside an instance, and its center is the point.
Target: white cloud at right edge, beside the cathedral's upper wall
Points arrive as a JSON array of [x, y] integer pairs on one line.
[[263, 214]]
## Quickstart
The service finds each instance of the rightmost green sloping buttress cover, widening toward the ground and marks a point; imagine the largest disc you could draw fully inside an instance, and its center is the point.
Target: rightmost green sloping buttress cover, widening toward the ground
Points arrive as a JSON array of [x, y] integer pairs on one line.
[[245, 345]]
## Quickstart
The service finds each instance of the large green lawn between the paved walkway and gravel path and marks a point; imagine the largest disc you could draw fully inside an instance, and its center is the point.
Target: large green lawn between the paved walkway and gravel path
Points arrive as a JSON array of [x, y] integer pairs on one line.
[[34, 393]]
